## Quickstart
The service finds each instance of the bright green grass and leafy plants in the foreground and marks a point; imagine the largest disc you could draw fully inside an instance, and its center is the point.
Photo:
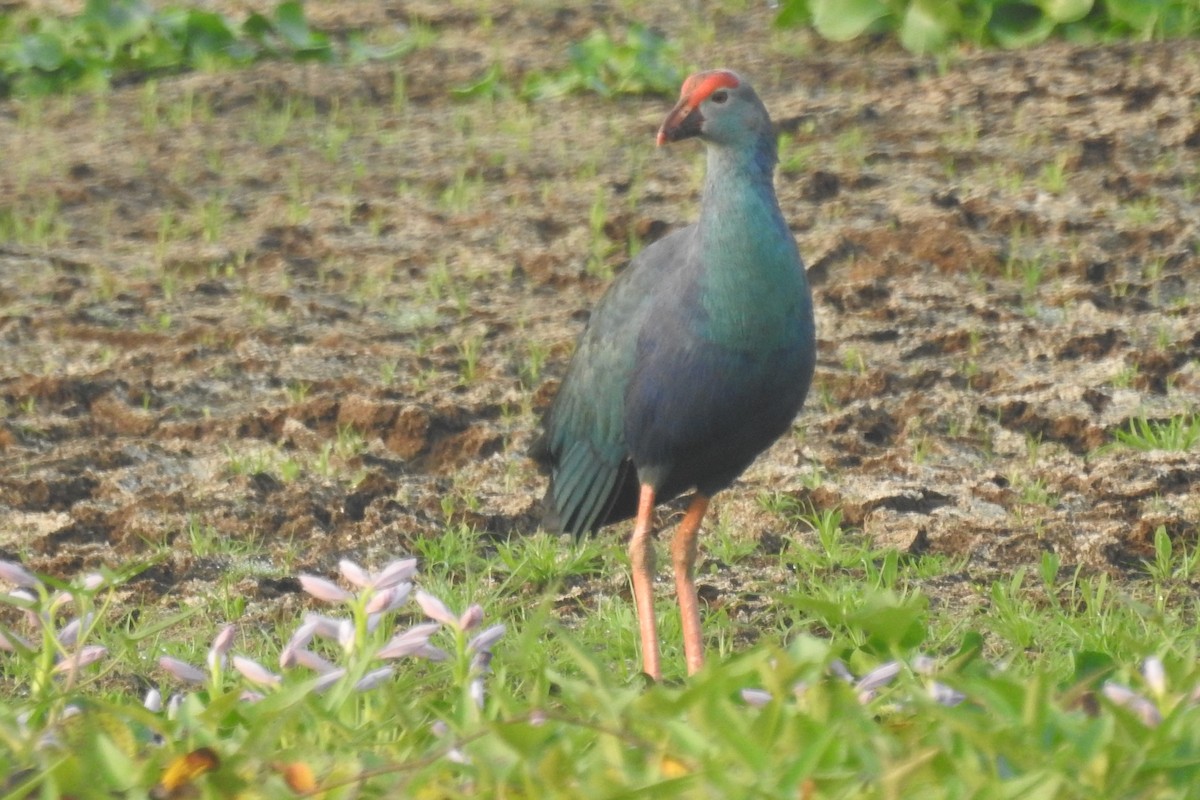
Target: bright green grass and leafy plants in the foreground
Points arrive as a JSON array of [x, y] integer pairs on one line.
[[1055, 696]]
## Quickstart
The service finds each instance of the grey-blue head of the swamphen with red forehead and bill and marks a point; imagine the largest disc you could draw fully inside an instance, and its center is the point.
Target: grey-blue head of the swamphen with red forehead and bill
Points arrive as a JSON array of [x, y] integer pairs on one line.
[[717, 106]]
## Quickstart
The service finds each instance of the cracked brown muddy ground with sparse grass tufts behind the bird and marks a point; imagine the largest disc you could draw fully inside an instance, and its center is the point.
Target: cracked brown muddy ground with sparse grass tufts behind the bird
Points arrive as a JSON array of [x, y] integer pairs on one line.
[[317, 310]]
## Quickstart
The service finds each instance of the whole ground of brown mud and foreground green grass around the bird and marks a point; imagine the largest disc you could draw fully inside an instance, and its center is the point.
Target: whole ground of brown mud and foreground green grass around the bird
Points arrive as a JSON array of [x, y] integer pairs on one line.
[[263, 322]]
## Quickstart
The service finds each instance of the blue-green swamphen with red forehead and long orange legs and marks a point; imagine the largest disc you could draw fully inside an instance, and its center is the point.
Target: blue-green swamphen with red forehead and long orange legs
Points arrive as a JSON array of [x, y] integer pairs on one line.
[[695, 360]]
